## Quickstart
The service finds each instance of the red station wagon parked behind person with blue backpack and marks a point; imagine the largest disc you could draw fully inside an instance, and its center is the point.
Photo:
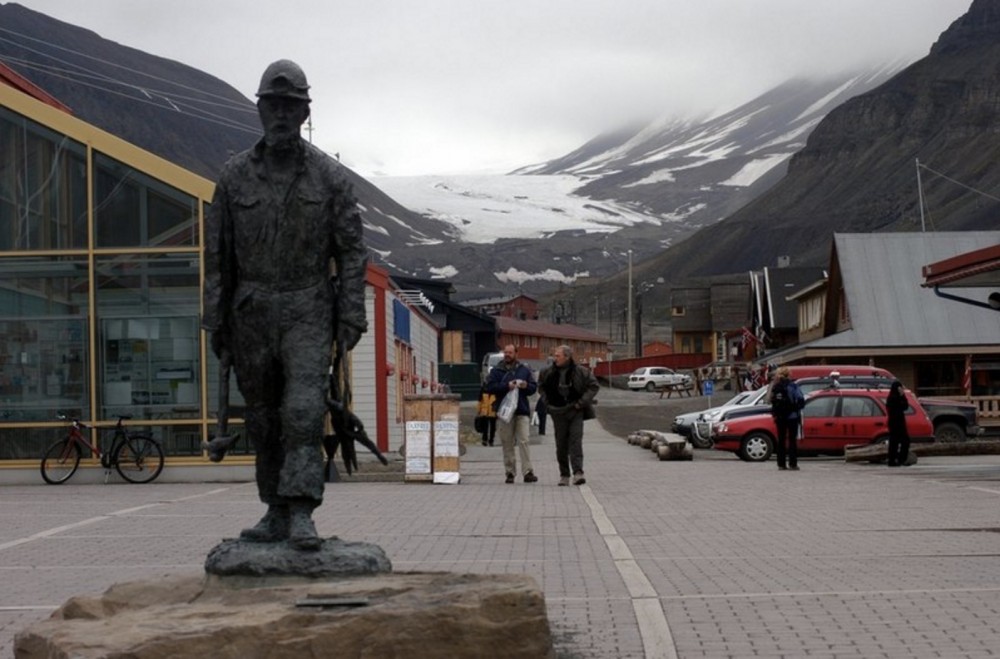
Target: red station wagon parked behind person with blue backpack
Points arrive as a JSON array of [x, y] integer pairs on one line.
[[832, 419]]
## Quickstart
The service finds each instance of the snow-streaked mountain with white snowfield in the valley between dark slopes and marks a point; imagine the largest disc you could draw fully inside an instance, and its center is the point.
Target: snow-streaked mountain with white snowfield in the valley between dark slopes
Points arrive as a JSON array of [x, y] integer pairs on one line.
[[640, 188]]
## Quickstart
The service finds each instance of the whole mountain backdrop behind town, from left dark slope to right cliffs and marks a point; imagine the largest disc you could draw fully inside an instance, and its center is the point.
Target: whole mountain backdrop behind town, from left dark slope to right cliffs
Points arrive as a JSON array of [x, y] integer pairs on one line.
[[688, 195]]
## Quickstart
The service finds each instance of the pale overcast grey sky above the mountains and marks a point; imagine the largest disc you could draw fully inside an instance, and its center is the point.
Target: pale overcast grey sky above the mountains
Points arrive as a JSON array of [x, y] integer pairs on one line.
[[450, 86]]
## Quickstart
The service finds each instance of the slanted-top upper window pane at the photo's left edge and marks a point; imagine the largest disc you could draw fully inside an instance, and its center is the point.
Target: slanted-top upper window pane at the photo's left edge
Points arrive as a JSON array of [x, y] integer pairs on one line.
[[43, 183]]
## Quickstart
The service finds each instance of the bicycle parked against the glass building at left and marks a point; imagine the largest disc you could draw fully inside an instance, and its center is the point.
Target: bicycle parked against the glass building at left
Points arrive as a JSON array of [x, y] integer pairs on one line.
[[136, 456]]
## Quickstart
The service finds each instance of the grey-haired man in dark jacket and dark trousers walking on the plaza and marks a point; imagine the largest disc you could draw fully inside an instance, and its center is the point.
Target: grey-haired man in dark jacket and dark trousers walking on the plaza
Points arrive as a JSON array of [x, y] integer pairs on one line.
[[568, 390]]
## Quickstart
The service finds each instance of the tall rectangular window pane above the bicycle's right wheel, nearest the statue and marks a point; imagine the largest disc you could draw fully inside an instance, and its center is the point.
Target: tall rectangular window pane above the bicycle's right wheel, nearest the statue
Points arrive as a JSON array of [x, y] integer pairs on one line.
[[147, 310]]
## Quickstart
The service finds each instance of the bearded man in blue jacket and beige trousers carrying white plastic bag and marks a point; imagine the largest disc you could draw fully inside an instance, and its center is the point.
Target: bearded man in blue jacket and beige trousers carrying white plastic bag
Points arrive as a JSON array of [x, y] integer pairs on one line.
[[509, 376]]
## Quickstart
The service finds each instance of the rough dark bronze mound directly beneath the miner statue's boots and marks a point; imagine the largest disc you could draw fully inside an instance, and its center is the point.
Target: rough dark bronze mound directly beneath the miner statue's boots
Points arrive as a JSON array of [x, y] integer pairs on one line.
[[334, 558]]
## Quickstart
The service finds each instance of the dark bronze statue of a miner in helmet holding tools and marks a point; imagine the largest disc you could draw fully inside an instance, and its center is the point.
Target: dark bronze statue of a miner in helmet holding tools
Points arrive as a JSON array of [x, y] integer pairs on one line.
[[284, 301]]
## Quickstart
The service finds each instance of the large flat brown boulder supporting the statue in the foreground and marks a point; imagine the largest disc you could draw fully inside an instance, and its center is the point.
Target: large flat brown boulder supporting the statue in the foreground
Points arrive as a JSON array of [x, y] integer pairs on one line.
[[383, 615]]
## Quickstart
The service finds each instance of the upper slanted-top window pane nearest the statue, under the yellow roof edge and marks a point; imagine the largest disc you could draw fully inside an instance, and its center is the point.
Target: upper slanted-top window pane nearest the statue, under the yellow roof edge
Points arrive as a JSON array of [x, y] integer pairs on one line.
[[132, 209]]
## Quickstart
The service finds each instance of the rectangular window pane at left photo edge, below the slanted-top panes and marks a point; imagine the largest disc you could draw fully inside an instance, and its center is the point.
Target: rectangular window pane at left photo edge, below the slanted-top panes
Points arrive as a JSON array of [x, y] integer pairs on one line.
[[43, 339]]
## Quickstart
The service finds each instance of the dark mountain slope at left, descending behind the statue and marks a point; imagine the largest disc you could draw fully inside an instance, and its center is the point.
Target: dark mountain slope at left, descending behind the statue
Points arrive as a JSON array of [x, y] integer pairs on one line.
[[175, 111]]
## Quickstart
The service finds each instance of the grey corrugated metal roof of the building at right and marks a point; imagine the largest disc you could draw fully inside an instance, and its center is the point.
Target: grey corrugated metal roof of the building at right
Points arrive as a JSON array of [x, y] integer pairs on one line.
[[887, 304]]
